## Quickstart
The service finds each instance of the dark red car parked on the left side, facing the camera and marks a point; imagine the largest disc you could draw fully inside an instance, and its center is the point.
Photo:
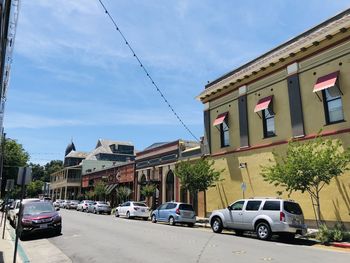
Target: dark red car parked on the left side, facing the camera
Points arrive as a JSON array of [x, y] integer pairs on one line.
[[40, 217]]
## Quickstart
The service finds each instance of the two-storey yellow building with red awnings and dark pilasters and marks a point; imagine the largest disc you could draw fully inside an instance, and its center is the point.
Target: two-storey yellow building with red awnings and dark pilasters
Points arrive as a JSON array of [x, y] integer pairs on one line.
[[290, 92]]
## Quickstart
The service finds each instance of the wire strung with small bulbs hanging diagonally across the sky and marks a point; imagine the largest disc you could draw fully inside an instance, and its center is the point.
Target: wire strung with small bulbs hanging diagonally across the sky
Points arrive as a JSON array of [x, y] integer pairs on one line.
[[145, 70]]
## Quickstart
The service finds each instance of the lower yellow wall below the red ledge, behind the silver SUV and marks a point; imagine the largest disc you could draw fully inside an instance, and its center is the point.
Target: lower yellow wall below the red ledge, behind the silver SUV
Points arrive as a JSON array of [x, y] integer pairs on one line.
[[335, 201]]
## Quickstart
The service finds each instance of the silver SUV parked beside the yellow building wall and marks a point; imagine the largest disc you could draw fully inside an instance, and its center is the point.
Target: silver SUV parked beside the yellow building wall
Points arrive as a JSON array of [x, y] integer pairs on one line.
[[265, 216]]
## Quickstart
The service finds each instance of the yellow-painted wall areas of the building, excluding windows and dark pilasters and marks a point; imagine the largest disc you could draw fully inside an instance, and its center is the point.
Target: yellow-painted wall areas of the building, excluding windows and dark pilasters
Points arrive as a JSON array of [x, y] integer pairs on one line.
[[334, 207]]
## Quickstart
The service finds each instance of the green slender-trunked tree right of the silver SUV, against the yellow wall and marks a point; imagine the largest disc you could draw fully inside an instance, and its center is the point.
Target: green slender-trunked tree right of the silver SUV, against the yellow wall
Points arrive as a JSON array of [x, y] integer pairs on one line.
[[308, 167]]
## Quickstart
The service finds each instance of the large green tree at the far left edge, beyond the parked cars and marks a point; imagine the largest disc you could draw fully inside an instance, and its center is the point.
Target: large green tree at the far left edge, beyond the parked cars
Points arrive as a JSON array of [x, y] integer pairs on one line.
[[14, 156]]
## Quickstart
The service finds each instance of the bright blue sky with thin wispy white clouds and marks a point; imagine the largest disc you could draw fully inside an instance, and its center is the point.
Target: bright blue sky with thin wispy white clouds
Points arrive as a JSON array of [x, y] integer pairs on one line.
[[73, 77]]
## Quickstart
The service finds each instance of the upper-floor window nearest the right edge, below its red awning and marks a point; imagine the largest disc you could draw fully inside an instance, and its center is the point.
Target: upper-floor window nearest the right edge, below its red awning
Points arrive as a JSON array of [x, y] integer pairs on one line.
[[333, 106]]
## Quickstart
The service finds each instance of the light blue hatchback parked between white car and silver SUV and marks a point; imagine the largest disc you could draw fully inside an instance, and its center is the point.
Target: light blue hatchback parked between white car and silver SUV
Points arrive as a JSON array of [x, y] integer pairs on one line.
[[174, 212]]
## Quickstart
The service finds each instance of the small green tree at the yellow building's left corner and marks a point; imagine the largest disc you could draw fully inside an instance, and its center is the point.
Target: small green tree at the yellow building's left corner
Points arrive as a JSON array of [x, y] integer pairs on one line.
[[197, 176]]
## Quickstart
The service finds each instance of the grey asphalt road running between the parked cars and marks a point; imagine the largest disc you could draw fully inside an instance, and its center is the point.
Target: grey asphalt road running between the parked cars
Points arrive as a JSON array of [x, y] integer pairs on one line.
[[102, 238]]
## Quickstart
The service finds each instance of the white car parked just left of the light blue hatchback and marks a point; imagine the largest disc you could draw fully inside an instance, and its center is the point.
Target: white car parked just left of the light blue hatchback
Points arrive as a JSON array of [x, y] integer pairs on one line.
[[133, 209]]
